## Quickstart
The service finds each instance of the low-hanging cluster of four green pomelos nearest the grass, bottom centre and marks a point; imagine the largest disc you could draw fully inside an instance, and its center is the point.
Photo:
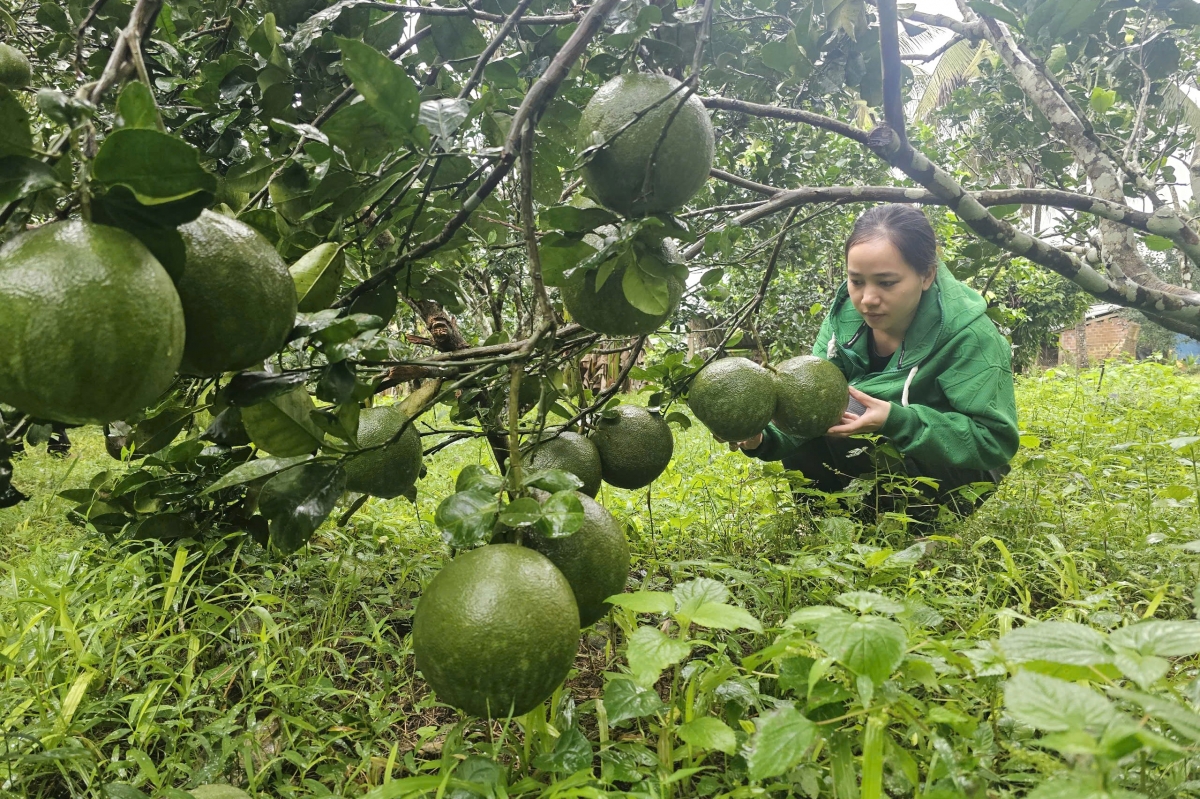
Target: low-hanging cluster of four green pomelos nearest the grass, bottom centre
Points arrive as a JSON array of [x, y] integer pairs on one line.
[[497, 630]]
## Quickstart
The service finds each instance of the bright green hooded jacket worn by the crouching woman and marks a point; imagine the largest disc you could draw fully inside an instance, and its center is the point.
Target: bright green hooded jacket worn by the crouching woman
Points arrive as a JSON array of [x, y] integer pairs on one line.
[[950, 383]]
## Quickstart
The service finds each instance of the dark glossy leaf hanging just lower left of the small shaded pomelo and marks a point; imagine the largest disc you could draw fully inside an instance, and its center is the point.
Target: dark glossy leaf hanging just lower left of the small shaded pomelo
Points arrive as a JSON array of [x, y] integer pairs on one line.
[[298, 501]]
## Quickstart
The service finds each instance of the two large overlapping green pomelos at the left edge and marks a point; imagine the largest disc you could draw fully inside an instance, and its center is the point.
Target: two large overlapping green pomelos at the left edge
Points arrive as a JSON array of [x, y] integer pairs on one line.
[[95, 328]]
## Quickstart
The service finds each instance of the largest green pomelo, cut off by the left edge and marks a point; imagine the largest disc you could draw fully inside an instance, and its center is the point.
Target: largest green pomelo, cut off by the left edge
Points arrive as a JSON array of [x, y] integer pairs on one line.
[[92, 328]]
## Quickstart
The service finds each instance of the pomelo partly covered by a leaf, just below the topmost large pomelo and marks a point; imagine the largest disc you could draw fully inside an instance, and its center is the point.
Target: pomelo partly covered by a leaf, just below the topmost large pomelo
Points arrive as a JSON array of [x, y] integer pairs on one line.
[[609, 311]]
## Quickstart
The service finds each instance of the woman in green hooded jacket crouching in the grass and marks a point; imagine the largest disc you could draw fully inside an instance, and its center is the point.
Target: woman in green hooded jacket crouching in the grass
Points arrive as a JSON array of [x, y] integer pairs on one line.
[[928, 371]]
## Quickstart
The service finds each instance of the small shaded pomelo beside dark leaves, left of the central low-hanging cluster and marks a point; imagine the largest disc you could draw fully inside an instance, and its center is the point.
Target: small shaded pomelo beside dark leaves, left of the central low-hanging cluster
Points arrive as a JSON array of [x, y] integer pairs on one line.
[[391, 471]]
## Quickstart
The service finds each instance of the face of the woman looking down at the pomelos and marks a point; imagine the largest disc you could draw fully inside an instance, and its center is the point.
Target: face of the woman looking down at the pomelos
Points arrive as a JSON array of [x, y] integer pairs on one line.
[[884, 287]]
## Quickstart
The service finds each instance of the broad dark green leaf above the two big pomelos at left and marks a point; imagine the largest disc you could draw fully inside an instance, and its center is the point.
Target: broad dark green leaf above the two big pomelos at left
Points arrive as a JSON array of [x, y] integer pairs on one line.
[[154, 166]]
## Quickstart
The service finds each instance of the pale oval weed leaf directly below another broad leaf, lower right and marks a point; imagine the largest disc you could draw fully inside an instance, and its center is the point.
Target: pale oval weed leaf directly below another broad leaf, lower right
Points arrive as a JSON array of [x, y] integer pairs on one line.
[[1051, 705]]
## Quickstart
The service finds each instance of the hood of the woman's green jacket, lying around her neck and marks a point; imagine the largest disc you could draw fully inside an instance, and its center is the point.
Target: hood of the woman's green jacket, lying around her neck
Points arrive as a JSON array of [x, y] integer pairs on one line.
[[946, 309]]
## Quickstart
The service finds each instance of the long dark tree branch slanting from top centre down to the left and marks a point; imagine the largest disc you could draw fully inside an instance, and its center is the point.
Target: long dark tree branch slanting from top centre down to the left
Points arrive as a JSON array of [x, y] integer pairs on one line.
[[531, 109]]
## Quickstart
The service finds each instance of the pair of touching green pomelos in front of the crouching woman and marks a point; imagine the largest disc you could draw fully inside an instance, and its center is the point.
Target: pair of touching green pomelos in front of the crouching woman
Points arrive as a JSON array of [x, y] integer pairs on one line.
[[736, 399]]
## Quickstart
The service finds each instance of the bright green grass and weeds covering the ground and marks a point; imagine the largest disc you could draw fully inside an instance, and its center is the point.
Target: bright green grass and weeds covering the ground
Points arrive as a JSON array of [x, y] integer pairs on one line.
[[152, 670]]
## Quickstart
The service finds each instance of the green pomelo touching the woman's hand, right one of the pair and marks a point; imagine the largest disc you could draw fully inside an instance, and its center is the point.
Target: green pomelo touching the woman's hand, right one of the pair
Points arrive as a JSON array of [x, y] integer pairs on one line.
[[811, 397]]
